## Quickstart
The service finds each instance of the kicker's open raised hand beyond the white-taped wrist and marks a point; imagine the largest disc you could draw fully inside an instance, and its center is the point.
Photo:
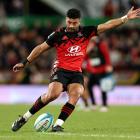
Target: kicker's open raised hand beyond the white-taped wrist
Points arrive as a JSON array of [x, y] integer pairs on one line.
[[132, 14]]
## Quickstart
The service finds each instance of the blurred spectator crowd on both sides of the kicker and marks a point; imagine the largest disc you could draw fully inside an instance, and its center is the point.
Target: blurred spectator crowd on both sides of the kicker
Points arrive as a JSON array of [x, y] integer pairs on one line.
[[124, 46]]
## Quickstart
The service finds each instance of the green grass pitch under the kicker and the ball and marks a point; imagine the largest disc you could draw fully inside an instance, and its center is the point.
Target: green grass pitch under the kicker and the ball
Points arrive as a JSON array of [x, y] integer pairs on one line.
[[120, 123]]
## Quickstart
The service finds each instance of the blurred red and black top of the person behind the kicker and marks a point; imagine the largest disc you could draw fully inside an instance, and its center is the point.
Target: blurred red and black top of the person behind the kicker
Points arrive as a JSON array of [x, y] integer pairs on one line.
[[98, 58]]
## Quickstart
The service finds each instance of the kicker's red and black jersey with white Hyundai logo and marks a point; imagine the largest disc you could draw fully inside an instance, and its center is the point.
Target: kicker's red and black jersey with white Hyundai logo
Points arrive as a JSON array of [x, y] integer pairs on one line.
[[71, 46]]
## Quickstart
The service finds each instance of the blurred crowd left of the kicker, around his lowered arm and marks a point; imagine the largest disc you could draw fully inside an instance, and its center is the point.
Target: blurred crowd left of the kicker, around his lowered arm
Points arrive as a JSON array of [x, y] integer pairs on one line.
[[15, 47]]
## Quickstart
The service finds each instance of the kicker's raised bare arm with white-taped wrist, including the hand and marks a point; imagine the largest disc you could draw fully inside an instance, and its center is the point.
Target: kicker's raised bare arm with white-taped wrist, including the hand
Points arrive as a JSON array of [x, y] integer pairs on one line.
[[132, 14]]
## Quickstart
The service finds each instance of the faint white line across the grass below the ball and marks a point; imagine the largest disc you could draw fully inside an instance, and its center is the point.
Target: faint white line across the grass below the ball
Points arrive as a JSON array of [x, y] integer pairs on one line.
[[74, 134]]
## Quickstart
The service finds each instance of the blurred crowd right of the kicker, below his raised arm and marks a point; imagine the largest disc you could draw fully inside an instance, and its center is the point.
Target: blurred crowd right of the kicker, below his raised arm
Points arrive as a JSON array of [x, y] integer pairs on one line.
[[125, 47]]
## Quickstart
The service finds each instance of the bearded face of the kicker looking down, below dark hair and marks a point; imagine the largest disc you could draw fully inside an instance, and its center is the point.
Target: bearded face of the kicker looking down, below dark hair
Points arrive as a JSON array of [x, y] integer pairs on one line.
[[72, 24]]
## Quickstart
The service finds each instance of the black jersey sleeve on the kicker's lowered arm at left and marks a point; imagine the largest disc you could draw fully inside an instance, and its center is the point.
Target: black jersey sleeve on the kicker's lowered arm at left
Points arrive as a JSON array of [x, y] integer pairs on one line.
[[52, 39]]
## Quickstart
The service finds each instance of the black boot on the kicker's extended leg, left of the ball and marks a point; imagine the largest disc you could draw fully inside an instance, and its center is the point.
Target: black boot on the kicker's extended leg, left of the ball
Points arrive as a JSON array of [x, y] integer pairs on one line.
[[18, 123]]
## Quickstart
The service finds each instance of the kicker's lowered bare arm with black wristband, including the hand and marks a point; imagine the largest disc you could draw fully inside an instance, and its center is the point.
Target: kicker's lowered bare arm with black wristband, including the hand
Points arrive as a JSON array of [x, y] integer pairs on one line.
[[32, 56]]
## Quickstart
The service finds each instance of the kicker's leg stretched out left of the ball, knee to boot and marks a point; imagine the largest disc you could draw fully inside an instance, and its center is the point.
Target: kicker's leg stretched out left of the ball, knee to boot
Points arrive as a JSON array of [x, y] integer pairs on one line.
[[54, 90]]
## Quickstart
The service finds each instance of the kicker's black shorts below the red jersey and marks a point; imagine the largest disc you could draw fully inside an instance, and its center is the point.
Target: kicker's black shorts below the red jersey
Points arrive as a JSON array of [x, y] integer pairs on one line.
[[67, 77]]
